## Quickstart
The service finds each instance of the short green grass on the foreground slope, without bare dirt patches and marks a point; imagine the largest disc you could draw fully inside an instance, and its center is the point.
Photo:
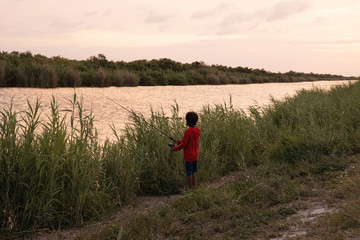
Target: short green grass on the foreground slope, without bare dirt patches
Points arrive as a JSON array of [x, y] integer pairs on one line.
[[257, 205]]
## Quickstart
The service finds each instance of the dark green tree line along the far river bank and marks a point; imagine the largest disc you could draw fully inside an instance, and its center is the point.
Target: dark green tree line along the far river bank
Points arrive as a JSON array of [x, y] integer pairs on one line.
[[24, 69]]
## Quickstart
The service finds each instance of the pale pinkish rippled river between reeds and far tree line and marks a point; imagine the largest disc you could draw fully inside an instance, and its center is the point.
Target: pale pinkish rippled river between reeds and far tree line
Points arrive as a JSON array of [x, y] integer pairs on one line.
[[142, 99]]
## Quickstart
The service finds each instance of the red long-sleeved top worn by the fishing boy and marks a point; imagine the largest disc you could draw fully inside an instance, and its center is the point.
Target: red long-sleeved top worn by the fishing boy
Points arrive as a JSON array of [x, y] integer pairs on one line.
[[190, 144]]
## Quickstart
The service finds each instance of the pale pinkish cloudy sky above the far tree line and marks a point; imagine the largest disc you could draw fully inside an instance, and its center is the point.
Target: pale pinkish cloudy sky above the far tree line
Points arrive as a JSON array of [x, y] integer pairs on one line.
[[320, 36]]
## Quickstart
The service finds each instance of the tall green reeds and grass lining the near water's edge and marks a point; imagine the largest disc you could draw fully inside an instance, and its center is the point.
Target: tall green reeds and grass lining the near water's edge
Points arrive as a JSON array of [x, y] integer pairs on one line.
[[56, 173]]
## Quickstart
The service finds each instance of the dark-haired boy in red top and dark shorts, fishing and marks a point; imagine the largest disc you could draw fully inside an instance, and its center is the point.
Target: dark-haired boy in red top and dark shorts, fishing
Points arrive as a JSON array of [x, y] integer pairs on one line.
[[190, 146]]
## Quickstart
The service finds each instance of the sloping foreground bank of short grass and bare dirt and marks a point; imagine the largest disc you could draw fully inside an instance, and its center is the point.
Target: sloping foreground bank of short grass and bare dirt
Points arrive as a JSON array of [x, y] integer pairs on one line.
[[313, 201]]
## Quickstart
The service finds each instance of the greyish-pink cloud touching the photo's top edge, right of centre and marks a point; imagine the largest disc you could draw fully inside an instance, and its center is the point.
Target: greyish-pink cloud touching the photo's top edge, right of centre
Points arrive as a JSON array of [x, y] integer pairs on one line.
[[284, 9]]
